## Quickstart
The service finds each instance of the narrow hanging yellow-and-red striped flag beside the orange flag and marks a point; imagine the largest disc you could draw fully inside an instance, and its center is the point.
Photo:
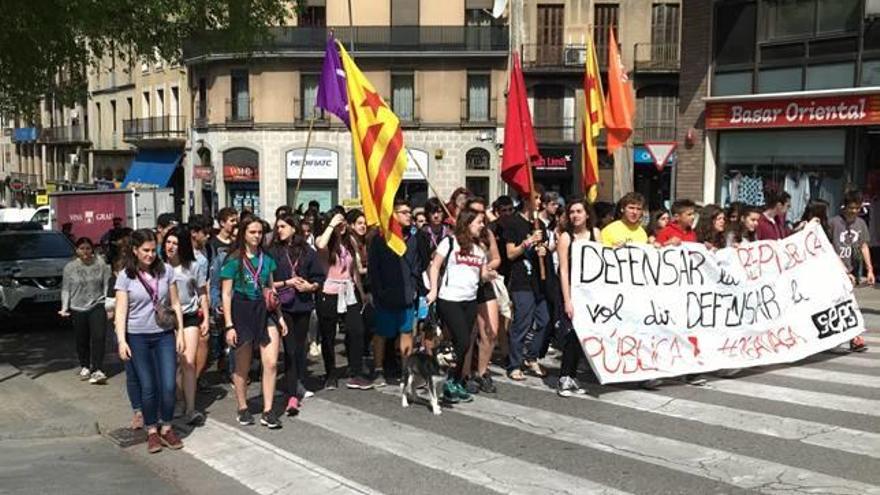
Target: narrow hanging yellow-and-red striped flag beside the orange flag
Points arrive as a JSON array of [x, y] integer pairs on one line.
[[594, 121]]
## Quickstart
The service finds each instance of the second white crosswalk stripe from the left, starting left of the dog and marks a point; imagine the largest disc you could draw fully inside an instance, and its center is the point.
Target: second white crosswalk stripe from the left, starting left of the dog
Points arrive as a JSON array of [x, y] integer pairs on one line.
[[483, 467]]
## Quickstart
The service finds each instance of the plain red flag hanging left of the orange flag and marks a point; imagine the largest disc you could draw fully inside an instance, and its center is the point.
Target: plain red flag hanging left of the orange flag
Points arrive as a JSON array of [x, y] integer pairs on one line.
[[520, 148]]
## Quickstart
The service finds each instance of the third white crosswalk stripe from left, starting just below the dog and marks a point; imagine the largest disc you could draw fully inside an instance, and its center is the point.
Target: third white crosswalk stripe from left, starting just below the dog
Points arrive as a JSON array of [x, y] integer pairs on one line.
[[726, 467]]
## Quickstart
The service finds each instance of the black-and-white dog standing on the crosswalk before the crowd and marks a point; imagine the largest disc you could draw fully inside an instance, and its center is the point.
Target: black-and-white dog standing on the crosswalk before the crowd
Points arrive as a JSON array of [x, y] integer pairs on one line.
[[421, 368]]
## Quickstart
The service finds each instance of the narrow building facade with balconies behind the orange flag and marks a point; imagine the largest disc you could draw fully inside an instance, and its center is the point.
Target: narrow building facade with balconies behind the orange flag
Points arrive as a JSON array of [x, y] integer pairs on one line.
[[555, 36]]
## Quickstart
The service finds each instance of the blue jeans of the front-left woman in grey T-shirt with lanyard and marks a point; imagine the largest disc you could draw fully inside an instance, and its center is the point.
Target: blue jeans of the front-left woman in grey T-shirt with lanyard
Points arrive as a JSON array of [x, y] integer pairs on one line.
[[154, 358]]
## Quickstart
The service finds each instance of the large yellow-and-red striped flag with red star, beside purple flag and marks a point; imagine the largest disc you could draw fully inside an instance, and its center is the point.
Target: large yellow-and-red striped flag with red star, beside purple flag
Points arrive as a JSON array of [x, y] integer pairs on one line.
[[379, 154]]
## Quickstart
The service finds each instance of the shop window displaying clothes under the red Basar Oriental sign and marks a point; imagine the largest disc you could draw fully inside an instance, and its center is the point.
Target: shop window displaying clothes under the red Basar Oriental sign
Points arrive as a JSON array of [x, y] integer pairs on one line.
[[807, 164]]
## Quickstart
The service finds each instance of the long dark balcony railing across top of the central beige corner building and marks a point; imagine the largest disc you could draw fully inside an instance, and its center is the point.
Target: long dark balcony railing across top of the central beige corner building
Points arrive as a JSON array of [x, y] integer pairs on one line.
[[447, 39]]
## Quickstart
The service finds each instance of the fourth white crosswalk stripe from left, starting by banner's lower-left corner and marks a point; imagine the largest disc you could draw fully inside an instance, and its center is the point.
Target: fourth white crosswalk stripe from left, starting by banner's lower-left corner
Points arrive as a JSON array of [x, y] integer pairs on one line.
[[809, 432]]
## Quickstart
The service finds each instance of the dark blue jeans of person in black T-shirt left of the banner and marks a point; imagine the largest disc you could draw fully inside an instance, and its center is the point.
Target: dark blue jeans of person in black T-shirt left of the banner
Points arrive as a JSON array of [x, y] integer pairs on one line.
[[529, 311]]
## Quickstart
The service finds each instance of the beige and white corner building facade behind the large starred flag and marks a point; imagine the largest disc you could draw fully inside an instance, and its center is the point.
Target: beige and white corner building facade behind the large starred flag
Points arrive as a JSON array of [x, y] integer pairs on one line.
[[440, 66]]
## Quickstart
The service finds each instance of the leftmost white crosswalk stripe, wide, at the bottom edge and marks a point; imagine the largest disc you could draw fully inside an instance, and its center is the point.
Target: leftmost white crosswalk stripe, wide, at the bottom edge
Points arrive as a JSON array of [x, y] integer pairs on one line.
[[261, 466]]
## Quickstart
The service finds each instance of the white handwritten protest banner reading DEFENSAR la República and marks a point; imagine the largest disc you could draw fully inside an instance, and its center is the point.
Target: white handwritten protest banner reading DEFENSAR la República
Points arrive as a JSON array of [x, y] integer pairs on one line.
[[643, 313]]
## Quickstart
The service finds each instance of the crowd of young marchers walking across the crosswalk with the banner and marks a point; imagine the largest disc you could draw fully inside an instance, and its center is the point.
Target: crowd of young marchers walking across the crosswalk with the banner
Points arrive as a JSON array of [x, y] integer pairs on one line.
[[227, 289]]
